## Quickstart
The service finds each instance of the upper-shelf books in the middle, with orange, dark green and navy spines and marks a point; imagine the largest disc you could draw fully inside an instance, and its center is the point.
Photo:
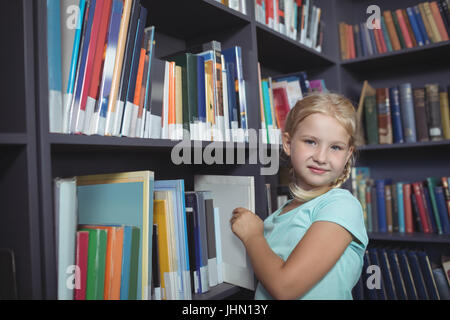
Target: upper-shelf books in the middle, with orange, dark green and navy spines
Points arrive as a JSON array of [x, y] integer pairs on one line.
[[204, 95]]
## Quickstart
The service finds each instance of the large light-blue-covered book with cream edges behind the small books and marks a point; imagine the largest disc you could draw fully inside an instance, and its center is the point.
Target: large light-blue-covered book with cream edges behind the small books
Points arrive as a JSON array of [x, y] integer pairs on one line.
[[112, 199]]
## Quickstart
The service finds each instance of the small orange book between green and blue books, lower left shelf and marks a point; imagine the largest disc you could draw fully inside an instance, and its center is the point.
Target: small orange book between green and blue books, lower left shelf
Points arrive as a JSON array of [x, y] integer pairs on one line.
[[113, 265]]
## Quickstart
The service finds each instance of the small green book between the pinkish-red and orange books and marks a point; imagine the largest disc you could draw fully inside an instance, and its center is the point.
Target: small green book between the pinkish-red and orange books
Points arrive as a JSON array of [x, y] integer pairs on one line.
[[95, 281]]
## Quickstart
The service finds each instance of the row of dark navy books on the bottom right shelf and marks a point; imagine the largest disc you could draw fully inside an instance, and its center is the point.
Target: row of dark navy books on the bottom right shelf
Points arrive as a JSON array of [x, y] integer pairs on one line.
[[402, 274]]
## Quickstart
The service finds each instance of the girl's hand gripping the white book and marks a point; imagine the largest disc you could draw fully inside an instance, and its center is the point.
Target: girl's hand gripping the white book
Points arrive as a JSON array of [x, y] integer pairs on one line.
[[245, 224]]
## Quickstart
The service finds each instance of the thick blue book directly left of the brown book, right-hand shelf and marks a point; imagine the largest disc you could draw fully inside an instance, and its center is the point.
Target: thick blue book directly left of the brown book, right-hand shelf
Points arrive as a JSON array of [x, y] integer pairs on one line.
[[407, 112]]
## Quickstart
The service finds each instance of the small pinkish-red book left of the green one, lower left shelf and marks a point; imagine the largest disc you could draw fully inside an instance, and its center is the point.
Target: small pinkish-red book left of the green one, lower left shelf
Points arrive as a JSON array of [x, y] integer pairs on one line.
[[81, 259]]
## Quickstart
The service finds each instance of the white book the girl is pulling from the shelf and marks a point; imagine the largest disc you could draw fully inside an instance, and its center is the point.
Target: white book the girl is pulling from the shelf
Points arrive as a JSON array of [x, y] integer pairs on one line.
[[230, 192]]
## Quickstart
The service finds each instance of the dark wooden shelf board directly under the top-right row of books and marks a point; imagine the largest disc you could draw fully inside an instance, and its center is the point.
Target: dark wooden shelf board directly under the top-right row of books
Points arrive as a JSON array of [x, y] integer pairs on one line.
[[432, 54]]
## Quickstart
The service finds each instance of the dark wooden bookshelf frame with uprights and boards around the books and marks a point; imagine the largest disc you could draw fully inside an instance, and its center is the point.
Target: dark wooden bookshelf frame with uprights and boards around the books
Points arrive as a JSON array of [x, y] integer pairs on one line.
[[32, 157]]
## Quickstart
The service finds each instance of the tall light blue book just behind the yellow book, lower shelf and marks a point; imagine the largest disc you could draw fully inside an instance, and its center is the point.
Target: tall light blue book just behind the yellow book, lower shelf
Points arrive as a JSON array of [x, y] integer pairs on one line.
[[177, 187]]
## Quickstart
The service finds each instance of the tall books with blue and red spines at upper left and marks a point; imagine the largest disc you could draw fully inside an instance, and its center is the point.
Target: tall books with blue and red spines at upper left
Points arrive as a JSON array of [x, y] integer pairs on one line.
[[99, 62]]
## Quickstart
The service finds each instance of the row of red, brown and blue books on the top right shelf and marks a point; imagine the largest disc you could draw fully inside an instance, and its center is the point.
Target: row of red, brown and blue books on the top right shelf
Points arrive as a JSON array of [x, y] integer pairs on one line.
[[425, 23]]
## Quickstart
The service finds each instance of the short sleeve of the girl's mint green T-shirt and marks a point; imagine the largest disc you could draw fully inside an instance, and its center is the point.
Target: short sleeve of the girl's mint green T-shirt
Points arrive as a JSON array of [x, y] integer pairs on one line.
[[342, 208]]
